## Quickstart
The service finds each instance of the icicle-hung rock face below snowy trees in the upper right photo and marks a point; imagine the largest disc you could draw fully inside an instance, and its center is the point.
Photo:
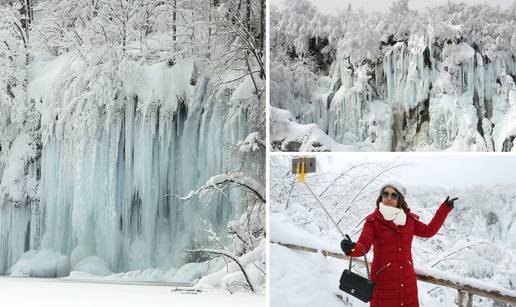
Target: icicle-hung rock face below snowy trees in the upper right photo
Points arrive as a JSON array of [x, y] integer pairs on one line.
[[421, 96]]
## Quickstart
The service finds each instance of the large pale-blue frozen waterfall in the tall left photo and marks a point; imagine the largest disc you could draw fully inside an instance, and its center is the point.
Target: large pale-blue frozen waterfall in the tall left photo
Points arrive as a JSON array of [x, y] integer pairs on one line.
[[110, 172]]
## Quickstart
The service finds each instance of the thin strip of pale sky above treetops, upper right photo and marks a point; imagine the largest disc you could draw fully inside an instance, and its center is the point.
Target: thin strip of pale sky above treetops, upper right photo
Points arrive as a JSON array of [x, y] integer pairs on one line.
[[334, 6]]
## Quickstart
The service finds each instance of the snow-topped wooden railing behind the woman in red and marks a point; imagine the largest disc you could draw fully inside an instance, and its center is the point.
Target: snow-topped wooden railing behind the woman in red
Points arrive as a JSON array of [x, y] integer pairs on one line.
[[466, 289]]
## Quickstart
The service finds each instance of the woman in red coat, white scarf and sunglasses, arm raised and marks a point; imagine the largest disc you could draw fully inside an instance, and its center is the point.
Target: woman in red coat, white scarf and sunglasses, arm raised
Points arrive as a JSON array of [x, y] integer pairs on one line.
[[390, 229]]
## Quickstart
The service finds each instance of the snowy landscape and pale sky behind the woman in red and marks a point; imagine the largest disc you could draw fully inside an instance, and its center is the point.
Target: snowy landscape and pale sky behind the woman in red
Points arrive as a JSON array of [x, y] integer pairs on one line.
[[477, 241]]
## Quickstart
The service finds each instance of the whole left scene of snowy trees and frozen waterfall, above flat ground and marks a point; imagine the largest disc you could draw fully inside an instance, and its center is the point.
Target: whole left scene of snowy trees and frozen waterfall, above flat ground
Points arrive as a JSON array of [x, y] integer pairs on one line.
[[130, 132]]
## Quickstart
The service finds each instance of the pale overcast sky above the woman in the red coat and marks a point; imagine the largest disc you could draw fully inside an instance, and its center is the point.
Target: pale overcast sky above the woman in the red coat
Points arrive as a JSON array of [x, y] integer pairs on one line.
[[447, 170]]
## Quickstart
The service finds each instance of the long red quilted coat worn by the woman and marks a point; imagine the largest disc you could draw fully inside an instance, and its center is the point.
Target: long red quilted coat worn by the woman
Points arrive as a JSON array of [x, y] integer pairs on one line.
[[392, 270]]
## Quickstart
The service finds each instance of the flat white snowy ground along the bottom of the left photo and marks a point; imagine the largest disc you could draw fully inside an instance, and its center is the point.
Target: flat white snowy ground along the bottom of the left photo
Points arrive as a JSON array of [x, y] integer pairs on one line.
[[24, 292]]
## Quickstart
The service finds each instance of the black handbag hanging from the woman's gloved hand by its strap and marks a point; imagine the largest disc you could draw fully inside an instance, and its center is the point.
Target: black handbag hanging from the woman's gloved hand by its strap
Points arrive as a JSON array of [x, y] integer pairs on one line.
[[356, 285]]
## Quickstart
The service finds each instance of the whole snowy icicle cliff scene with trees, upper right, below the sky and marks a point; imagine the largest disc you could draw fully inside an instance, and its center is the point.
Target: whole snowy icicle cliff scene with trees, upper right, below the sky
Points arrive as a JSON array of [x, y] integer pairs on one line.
[[441, 78]]
